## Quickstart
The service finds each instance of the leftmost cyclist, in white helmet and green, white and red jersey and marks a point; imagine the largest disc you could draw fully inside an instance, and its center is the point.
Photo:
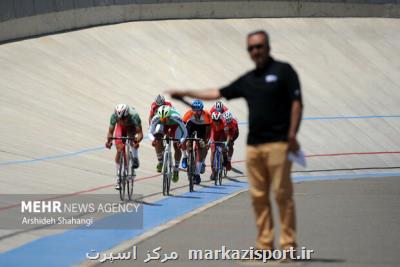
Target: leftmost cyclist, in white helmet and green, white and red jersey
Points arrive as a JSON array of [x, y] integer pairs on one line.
[[125, 121]]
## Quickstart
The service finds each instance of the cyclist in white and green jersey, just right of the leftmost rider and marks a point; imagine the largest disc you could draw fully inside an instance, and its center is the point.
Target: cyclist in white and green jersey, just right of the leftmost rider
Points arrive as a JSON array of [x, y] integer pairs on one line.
[[167, 121]]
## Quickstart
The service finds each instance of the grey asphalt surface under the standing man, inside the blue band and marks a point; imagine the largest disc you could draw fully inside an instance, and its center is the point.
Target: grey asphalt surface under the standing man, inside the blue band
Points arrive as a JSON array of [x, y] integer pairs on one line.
[[347, 223]]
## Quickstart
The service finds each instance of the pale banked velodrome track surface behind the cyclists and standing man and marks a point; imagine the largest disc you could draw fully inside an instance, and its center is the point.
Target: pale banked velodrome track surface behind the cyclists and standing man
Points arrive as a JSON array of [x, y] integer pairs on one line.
[[58, 92]]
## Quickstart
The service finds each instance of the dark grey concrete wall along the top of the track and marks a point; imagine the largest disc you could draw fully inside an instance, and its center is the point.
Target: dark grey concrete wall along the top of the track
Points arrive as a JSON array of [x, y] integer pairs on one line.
[[27, 18]]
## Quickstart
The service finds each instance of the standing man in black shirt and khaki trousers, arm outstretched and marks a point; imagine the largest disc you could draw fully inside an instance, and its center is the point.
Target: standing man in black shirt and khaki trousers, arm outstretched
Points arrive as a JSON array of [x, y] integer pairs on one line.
[[272, 92]]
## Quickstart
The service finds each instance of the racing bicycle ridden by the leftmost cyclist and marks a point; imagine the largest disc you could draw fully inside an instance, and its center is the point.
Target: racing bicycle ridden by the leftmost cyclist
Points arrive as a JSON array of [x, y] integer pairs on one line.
[[126, 172]]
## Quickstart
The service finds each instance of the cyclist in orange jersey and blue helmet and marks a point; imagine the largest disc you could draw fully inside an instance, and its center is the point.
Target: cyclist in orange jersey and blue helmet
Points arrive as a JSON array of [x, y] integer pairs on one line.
[[199, 120]]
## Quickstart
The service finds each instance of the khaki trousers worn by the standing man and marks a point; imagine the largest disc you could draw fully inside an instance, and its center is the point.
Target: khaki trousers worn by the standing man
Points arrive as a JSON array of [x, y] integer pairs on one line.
[[268, 164]]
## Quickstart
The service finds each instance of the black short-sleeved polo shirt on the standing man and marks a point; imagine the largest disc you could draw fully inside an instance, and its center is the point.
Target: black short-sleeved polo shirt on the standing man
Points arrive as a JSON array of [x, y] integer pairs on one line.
[[269, 93]]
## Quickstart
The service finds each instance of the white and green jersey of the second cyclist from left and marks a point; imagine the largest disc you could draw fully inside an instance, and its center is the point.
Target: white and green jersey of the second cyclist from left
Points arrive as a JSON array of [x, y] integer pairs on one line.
[[174, 123]]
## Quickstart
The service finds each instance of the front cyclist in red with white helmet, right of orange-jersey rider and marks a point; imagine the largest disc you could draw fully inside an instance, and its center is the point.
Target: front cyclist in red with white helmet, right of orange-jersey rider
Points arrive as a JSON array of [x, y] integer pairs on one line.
[[217, 135]]
